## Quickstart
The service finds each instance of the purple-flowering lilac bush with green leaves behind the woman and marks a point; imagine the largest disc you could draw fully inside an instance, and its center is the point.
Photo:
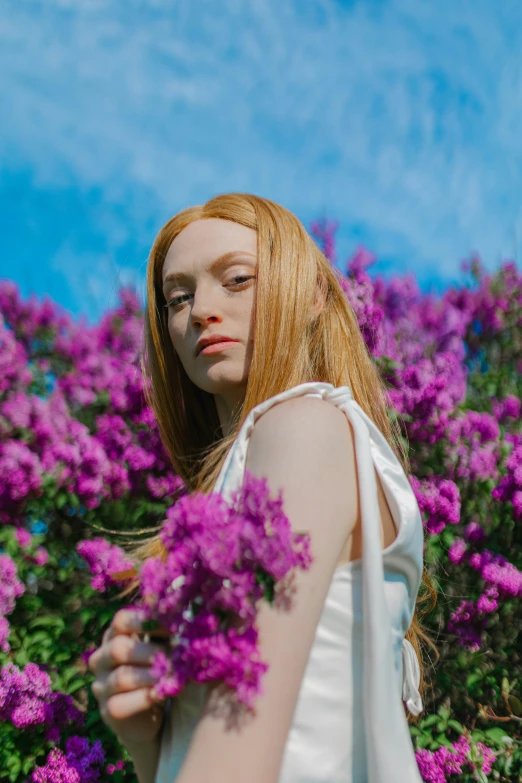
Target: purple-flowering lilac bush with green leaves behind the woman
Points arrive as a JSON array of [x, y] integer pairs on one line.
[[80, 454]]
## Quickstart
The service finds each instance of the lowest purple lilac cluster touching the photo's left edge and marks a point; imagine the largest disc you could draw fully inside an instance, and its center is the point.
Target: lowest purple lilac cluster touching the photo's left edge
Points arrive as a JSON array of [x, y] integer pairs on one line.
[[27, 701]]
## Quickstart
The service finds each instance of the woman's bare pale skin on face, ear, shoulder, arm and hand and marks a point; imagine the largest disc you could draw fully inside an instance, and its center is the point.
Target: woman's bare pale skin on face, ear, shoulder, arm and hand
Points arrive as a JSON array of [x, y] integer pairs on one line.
[[304, 447]]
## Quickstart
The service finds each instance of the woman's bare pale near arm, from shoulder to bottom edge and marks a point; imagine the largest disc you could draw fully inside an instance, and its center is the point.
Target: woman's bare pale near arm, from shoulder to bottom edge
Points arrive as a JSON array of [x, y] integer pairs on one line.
[[304, 447]]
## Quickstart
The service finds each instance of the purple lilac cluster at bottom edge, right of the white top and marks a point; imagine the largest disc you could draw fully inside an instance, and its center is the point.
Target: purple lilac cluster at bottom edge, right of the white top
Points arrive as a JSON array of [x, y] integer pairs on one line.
[[444, 763]]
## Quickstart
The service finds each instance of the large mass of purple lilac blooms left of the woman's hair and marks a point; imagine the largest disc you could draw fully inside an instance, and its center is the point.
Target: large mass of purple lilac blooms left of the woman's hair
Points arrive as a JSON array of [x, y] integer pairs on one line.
[[40, 434]]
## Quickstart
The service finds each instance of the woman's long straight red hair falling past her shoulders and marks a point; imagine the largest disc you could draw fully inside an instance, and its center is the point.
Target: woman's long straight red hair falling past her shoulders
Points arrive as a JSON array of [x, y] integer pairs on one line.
[[289, 349]]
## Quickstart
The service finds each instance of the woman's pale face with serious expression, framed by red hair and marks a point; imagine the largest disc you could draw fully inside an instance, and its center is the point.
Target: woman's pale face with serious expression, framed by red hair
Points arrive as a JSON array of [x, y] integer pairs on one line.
[[209, 283]]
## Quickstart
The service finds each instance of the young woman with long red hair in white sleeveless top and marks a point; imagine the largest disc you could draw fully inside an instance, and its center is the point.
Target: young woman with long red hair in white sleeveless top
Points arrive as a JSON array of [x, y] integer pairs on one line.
[[257, 362]]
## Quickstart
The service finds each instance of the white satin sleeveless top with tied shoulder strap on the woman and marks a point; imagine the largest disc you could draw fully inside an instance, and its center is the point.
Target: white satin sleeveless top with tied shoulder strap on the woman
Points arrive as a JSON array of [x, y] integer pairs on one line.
[[349, 724]]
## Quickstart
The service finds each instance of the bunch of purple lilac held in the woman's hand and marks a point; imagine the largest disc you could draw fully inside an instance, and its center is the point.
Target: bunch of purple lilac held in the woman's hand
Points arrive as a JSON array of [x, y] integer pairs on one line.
[[221, 561]]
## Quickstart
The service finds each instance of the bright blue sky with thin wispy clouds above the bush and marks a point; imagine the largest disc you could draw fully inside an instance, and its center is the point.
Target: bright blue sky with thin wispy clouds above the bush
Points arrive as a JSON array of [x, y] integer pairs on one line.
[[401, 119]]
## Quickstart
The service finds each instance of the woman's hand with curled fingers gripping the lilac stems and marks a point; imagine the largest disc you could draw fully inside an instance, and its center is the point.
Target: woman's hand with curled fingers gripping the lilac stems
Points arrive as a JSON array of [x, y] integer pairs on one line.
[[124, 682]]
